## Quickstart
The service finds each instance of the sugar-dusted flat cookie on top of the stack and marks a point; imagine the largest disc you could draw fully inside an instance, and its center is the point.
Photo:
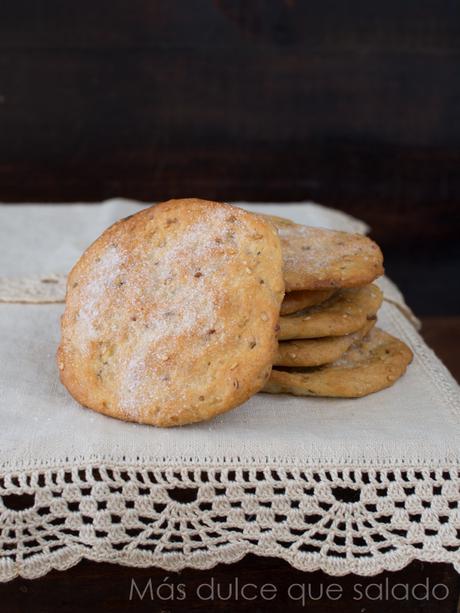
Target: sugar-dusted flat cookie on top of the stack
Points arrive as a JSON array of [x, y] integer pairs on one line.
[[316, 258]]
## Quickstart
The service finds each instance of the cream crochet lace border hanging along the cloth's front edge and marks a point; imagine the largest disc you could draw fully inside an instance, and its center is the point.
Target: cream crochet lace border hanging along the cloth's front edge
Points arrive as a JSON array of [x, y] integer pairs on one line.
[[339, 520]]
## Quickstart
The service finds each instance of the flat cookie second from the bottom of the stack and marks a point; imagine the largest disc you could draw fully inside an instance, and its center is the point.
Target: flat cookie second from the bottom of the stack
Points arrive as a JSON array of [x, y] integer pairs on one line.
[[318, 351]]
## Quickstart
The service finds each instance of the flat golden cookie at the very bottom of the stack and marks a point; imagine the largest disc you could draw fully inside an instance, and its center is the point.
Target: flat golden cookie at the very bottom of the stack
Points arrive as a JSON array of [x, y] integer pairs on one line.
[[373, 364]]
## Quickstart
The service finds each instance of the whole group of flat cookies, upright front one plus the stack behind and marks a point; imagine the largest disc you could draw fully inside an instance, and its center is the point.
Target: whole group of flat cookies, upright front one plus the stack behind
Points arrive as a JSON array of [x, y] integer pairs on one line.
[[178, 313]]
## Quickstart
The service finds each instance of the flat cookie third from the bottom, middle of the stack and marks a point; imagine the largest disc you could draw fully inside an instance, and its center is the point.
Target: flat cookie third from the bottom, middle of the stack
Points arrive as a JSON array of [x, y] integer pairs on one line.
[[345, 312]]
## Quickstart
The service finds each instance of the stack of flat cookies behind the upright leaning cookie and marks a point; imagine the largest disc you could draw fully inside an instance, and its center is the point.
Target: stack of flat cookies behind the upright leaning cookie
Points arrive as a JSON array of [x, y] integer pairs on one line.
[[328, 342]]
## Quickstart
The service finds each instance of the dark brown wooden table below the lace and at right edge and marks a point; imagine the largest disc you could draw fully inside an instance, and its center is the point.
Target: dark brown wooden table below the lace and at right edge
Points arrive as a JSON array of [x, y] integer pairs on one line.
[[90, 586]]
